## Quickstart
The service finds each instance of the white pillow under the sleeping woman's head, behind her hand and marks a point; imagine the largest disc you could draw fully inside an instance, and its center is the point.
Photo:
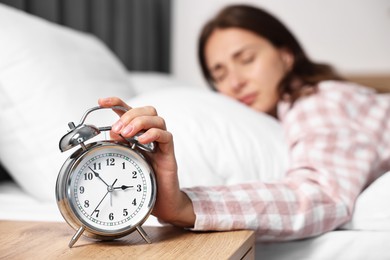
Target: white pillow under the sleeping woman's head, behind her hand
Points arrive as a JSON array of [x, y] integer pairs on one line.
[[218, 140]]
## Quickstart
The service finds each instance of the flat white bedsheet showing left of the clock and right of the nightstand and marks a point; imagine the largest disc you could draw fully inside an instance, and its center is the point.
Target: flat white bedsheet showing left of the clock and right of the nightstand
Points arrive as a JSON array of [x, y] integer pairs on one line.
[[344, 245]]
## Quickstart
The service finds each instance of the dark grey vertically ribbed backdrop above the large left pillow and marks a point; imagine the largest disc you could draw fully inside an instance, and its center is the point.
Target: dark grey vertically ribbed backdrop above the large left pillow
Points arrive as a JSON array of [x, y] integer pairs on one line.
[[138, 31]]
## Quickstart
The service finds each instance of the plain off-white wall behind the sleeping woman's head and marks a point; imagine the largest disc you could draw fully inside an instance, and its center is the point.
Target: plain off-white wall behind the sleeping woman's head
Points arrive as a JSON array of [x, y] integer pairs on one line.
[[353, 35]]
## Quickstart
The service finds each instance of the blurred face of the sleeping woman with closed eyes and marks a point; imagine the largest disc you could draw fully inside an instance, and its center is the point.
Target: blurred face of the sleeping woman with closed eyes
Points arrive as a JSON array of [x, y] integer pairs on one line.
[[247, 67]]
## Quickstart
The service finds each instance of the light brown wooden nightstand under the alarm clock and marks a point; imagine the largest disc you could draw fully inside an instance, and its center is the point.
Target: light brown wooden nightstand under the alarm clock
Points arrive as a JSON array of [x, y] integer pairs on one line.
[[49, 240]]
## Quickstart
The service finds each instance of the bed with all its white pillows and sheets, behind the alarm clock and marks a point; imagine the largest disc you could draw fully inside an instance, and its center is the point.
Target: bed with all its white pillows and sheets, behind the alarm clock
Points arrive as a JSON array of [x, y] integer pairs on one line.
[[50, 75]]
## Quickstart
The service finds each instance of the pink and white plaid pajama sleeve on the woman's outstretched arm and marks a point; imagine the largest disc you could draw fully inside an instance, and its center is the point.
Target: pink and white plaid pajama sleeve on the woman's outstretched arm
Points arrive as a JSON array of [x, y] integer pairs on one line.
[[334, 154]]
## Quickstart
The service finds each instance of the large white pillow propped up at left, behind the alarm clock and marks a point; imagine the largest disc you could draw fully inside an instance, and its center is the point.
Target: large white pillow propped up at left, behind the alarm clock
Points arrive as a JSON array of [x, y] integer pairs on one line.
[[49, 75]]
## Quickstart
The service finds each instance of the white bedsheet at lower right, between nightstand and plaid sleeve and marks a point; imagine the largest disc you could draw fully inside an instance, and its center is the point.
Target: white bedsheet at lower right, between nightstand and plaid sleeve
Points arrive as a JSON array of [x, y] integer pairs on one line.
[[335, 245]]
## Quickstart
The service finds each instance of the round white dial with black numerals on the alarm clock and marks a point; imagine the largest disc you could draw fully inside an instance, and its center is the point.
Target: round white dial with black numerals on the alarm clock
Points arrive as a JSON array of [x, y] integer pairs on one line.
[[111, 189]]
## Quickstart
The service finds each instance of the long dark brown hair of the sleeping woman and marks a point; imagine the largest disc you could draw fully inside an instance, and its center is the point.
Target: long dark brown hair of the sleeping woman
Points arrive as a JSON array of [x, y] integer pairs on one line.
[[304, 72]]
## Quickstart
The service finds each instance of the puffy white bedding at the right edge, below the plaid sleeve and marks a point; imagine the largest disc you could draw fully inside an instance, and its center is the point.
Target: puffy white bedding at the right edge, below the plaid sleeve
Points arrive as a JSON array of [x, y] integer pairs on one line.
[[372, 209]]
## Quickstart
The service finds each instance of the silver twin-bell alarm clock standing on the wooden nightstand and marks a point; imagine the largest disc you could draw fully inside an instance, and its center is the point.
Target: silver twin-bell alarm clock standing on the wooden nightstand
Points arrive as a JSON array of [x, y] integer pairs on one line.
[[105, 189]]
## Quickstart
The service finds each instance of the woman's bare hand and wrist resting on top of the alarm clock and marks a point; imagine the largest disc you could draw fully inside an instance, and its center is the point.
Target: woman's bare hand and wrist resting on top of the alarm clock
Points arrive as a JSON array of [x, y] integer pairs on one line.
[[172, 205]]
